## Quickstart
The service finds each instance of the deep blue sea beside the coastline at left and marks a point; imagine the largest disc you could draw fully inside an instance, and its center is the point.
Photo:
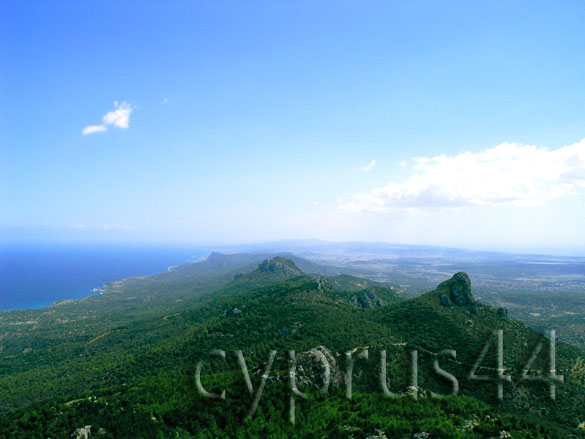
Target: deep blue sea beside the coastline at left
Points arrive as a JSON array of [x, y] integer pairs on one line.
[[37, 276]]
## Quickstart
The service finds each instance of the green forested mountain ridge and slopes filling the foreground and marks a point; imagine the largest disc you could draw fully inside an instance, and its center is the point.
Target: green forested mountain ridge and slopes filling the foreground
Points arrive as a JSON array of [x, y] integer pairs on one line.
[[130, 371]]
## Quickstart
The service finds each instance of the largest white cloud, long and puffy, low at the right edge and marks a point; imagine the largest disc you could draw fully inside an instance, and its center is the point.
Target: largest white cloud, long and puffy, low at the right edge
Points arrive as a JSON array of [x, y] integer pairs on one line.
[[508, 174]]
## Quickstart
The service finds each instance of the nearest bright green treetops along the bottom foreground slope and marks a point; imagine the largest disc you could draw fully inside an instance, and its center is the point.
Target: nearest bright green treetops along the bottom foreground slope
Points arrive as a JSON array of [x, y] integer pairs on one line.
[[170, 407]]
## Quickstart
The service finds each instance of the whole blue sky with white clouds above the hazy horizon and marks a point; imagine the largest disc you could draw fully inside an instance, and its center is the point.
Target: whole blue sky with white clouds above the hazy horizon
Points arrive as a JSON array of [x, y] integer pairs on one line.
[[251, 121]]
